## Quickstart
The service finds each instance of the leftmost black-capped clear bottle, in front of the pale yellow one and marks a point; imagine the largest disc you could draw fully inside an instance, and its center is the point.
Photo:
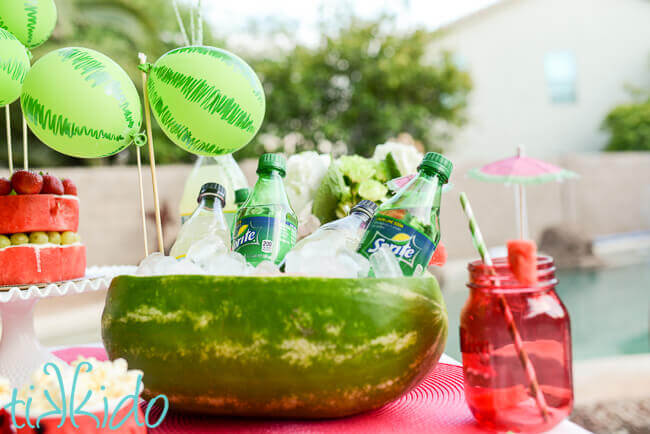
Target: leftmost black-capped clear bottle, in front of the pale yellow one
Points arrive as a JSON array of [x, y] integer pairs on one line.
[[207, 220]]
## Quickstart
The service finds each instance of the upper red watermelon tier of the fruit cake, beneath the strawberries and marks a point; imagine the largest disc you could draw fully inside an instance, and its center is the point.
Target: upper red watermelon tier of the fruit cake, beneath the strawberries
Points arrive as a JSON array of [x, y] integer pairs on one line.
[[38, 212]]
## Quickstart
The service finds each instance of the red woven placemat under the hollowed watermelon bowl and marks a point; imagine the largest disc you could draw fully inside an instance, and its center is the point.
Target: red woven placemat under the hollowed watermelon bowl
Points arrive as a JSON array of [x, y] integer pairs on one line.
[[437, 405]]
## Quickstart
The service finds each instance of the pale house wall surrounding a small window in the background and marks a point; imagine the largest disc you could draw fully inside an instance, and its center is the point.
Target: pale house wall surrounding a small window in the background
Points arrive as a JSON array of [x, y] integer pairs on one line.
[[504, 48]]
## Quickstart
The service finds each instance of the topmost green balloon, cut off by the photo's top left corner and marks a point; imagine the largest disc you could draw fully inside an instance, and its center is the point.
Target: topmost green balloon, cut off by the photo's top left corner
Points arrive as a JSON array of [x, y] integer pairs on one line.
[[31, 21]]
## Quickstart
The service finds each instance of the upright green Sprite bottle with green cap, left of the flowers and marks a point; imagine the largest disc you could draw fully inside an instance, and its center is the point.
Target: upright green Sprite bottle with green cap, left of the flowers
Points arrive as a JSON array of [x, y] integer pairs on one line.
[[266, 225]]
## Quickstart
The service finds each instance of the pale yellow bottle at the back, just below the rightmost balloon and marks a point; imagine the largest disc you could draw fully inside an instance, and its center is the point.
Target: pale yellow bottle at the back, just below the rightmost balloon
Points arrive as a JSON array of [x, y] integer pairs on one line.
[[222, 169]]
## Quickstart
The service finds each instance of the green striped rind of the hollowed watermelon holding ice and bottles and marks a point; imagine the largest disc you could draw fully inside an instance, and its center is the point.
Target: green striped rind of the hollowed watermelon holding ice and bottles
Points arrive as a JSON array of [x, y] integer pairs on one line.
[[285, 347]]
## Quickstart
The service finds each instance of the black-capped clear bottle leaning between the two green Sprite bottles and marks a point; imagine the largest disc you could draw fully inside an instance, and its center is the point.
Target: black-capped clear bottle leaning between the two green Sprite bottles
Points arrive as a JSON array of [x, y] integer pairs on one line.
[[347, 231]]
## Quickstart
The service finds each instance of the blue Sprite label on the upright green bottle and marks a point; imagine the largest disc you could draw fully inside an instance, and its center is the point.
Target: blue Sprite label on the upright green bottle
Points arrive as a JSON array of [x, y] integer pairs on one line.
[[256, 238]]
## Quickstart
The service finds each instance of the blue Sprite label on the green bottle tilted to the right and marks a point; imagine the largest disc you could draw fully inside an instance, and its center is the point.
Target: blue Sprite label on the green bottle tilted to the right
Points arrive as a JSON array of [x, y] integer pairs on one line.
[[412, 248]]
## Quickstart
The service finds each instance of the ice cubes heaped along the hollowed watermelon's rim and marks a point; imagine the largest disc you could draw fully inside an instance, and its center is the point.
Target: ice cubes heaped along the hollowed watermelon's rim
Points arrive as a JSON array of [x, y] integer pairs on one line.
[[328, 257]]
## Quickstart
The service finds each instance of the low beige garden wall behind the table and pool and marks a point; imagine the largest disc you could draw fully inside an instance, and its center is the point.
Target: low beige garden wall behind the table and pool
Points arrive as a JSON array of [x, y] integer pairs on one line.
[[613, 195]]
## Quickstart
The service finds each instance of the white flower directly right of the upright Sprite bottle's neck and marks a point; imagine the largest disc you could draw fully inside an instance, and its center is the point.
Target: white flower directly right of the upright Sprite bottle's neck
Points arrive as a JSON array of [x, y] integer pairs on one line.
[[305, 171]]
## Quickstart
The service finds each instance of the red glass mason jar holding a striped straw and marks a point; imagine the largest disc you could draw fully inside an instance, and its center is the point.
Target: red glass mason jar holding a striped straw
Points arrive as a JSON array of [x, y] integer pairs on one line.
[[497, 387]]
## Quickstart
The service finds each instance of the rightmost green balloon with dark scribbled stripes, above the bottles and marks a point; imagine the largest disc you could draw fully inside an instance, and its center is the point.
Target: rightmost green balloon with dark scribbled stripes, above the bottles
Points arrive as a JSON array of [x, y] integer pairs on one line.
[[208, 101]]
